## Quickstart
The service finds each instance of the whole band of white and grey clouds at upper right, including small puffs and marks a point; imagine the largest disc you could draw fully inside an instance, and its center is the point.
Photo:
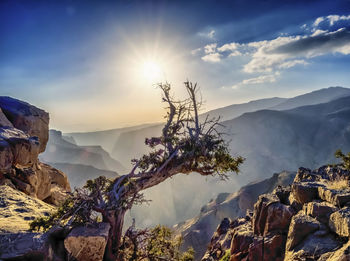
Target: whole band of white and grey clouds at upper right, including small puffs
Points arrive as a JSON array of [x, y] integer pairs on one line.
[[326, 35]]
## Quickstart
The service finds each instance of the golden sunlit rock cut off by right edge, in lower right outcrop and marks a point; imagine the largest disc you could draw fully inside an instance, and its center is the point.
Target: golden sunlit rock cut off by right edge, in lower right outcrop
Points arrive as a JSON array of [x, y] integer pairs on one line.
[[339, 222]]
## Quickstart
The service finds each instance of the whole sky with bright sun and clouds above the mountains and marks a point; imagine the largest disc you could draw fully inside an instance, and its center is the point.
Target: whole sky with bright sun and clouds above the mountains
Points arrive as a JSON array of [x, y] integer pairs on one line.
[[84, 61]]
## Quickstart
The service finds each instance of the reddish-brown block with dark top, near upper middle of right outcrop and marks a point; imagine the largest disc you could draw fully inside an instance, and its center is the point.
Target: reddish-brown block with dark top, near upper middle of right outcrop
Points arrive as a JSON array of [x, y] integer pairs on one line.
[[304, 192]]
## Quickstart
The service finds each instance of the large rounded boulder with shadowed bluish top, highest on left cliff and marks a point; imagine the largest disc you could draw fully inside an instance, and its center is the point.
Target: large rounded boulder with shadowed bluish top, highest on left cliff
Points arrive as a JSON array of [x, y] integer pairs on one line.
[[27, 118]]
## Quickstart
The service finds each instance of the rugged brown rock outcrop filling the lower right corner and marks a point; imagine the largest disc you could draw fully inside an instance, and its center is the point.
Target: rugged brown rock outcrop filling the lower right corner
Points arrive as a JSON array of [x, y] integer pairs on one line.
[[310, 220]]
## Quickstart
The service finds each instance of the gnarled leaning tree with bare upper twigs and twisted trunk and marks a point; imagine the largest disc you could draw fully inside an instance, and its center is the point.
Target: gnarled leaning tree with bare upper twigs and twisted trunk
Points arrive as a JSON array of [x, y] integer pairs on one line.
[[185, 146]]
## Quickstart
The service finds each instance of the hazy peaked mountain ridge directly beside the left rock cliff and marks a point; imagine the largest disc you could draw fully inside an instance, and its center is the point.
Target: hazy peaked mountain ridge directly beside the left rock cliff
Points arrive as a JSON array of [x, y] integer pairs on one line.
[[61, 151]]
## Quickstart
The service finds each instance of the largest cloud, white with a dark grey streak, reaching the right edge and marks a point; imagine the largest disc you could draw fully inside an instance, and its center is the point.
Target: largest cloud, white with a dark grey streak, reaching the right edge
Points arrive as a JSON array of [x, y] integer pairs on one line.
[[287, 52]]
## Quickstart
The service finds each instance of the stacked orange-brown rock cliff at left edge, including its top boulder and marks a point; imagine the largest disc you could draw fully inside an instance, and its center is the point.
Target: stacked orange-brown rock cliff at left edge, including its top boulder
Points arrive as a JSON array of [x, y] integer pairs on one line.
[[23, 135]]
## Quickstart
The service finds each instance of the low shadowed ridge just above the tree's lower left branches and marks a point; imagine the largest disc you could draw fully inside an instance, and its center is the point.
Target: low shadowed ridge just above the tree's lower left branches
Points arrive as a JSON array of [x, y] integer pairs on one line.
[[78, 174]]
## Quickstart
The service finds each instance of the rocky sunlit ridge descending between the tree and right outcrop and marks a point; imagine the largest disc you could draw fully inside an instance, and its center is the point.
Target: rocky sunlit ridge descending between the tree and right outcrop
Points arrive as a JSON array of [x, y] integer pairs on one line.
[[197, 232]]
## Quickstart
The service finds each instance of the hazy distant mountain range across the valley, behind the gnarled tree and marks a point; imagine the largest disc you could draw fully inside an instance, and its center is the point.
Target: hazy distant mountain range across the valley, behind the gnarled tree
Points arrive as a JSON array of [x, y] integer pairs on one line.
[[273, 134]]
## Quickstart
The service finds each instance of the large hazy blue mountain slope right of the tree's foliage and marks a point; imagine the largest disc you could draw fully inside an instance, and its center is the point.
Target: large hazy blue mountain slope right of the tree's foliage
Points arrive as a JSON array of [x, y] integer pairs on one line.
[[305, 136]]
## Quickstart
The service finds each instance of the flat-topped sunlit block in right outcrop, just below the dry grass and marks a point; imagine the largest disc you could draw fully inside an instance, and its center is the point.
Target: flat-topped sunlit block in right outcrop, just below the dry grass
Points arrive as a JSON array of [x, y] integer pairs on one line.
[[319, 210]]
